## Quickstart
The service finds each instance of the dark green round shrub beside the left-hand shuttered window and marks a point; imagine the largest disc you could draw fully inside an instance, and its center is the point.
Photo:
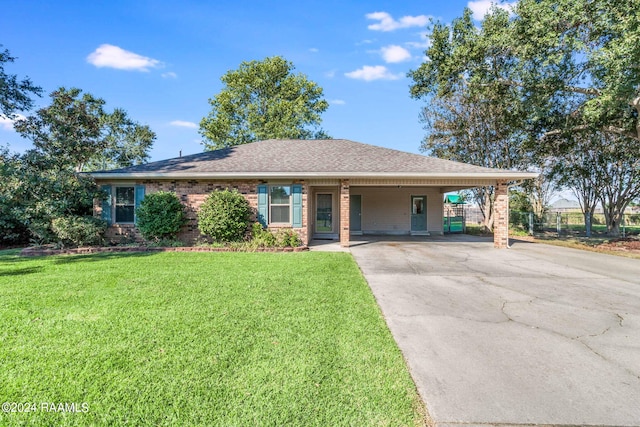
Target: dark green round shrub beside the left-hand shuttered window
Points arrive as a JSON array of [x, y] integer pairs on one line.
[[160, 216]]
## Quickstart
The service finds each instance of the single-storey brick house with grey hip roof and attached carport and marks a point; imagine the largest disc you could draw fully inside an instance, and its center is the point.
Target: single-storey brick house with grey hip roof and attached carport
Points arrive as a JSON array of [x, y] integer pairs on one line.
[[329, 189]]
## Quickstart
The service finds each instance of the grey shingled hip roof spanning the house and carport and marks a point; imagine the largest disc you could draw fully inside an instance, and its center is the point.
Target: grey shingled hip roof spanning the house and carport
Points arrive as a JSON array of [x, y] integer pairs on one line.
[[277, 158]]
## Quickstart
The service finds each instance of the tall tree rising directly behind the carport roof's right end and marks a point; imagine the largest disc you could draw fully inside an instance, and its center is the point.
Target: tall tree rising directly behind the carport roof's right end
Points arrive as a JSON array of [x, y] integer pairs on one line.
[[470, 116]]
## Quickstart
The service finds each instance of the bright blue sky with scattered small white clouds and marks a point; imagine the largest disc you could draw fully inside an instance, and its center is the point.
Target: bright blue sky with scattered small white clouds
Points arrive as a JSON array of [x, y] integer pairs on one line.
[[161, 61]]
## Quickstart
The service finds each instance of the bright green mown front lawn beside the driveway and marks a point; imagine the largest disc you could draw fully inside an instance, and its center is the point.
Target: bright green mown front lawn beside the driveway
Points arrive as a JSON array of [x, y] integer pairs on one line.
[[231, 339]]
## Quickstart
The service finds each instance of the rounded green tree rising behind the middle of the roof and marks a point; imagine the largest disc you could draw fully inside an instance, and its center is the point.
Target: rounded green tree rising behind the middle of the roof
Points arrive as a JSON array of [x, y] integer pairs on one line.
[[263, 100]]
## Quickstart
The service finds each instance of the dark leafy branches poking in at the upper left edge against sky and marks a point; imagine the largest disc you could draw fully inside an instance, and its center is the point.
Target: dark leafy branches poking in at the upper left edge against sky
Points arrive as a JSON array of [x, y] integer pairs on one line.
[[14, 93]]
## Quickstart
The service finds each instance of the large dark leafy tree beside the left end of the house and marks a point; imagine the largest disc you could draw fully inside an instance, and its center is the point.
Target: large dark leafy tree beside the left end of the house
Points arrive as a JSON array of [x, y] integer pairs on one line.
[[71, 135]]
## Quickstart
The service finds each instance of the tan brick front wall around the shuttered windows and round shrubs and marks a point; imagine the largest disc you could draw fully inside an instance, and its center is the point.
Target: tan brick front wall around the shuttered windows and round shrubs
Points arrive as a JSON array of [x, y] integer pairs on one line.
[[192, 193]]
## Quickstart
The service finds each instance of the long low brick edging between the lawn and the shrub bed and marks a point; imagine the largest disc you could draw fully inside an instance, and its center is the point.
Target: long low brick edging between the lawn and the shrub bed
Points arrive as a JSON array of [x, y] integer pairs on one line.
[[40, 251]]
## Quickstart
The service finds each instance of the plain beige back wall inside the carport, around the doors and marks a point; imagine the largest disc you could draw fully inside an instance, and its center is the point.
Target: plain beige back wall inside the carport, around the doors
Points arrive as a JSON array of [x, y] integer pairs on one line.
[[388, 209]]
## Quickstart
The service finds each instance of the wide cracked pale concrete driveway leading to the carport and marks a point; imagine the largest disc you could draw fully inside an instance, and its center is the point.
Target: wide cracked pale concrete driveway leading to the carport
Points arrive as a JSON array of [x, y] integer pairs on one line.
[[531, 335]]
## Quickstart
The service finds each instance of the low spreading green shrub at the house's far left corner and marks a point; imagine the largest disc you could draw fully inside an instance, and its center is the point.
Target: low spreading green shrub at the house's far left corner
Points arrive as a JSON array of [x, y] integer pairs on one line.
[[79, 230]]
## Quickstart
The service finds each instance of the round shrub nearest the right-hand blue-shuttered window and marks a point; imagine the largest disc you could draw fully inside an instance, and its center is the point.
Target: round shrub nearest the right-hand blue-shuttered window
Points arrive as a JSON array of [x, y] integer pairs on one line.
[[224, 216]]
